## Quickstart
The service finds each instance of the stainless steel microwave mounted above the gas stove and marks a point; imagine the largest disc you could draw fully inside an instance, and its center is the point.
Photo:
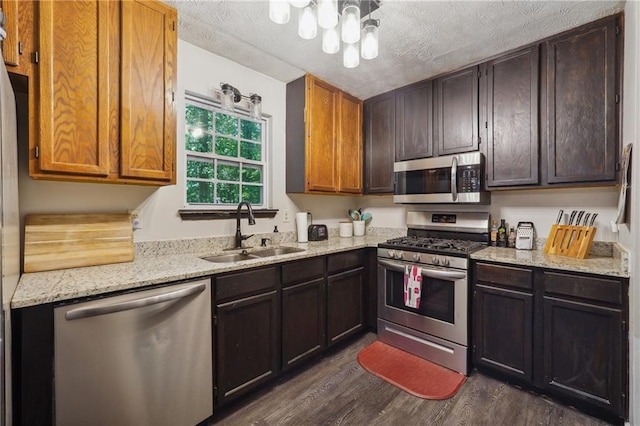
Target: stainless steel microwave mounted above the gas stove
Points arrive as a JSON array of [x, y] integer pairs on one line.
[[450, 179]]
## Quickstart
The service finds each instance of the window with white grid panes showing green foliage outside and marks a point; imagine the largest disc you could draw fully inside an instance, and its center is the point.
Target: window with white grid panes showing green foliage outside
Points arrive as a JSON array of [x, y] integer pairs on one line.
[[225, 154]]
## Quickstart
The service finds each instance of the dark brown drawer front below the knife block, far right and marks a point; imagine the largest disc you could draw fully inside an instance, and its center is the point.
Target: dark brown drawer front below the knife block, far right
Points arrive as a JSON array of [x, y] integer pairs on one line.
[[599, 289]]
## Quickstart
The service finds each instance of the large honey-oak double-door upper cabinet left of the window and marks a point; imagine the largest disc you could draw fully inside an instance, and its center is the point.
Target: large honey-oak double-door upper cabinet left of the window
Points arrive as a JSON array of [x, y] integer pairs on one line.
[[106, 78]]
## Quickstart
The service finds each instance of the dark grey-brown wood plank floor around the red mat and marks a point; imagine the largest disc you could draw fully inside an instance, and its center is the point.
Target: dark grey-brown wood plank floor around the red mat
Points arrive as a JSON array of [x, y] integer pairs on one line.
[[336, 390]]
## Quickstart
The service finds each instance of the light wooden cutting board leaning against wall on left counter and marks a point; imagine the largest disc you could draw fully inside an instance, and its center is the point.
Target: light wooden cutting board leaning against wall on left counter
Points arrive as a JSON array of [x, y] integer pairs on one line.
[[60, 241]]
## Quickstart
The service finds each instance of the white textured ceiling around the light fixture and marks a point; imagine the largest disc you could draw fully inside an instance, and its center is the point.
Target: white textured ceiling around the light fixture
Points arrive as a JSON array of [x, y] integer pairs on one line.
[[418, 39]]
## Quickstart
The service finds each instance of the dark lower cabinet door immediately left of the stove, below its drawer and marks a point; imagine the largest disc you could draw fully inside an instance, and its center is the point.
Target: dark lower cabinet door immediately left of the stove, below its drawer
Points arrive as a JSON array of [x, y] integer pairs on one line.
[[345, 314]]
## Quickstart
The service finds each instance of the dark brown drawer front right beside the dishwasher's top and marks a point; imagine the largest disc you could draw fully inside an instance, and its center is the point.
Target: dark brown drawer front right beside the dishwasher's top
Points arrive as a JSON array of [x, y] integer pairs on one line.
[[246, 283]]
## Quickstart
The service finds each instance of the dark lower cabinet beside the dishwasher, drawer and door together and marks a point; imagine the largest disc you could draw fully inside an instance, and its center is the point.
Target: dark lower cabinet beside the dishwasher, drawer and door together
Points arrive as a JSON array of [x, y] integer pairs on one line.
[[247, 330]]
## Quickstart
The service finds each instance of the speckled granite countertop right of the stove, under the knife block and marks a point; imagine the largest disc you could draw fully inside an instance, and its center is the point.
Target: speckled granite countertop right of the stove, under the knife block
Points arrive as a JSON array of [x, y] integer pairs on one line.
[[602, 265]]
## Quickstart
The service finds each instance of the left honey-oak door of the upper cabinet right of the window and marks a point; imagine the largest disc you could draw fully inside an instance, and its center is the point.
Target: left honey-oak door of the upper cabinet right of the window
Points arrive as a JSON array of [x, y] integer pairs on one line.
[[321, 156]]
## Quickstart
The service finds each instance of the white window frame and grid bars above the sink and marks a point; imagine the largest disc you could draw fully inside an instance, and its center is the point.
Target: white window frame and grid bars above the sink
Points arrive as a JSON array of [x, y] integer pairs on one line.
[[214, 105]]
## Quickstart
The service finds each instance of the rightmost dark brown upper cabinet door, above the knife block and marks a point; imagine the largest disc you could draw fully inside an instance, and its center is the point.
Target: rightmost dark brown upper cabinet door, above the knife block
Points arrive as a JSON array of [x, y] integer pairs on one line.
[[582, 116]]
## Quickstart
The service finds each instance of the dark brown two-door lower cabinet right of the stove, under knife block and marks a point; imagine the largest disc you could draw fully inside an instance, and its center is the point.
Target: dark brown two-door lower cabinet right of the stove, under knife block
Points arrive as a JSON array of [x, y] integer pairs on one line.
[[566, 336]]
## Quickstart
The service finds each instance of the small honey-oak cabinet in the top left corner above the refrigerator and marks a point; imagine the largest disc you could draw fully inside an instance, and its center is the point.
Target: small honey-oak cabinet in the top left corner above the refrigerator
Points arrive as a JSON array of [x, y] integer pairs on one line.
[[18, 44]]
